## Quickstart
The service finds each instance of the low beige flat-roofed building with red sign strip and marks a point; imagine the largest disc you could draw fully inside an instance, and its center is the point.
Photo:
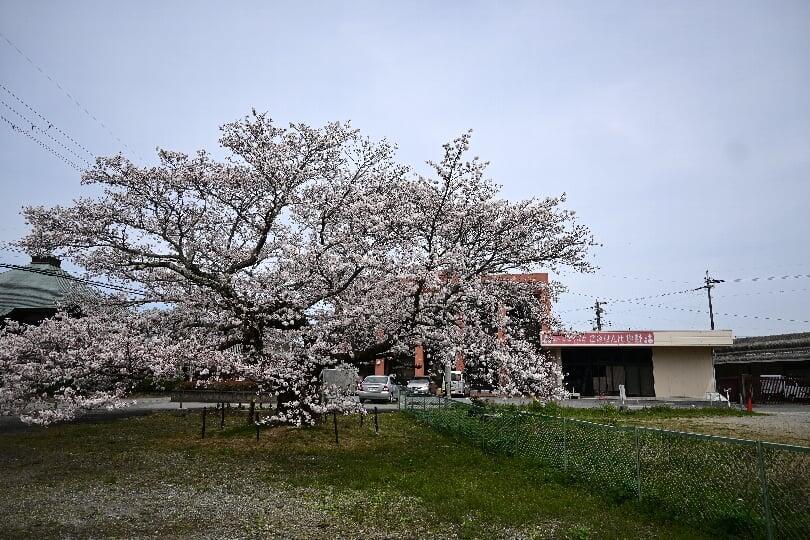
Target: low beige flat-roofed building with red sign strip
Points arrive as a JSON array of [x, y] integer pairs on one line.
[[649, 363]]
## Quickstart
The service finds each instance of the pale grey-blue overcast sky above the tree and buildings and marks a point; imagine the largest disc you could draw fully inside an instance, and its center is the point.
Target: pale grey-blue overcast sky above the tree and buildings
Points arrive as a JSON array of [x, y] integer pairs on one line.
[[680, 130]]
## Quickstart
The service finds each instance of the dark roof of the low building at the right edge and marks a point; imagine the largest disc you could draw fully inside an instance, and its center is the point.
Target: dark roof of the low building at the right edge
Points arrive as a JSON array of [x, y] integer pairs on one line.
[[776, 348]]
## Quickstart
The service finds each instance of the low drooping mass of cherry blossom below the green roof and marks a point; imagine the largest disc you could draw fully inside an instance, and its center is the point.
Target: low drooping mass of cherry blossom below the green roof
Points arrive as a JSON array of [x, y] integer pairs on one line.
[[66, 366]]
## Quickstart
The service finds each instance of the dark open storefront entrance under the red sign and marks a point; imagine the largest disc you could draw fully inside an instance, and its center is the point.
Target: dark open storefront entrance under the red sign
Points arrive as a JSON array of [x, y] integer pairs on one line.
[[594, 371]]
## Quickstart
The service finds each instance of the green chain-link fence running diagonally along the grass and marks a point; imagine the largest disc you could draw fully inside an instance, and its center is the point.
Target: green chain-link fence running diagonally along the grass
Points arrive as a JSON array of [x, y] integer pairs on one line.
[[733, 486]]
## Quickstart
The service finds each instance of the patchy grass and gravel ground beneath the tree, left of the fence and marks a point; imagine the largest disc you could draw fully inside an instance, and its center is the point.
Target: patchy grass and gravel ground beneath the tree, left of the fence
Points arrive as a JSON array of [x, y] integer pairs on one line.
[[152, 476]]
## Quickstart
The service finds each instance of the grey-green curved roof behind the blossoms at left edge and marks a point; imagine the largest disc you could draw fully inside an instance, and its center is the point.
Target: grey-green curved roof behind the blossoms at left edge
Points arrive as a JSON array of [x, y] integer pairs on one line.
[[39, 285]]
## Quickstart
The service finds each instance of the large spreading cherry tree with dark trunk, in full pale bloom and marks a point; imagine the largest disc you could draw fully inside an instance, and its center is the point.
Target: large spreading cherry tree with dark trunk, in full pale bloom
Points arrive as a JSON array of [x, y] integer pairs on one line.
[[307, 248]]
